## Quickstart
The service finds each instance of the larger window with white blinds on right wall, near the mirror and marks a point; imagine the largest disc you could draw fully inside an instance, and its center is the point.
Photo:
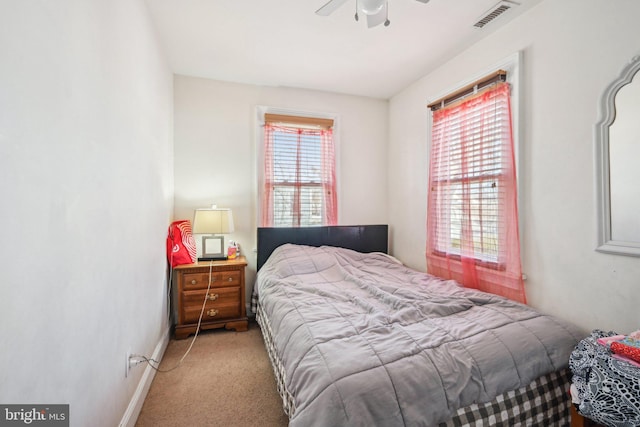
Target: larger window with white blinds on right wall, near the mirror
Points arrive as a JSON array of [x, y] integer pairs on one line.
[[467, 176]]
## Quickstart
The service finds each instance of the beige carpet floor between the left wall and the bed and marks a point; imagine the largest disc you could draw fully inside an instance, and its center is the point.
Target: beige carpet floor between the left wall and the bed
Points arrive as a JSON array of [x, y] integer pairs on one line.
[[226, 380]]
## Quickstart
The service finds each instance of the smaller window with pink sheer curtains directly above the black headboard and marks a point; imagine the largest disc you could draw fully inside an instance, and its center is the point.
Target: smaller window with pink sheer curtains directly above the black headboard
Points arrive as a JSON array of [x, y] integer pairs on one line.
[[299, 172]]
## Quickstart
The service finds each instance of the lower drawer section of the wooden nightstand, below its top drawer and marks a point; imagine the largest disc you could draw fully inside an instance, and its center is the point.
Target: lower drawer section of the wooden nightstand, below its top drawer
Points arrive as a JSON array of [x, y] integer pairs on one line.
[[221, 303]]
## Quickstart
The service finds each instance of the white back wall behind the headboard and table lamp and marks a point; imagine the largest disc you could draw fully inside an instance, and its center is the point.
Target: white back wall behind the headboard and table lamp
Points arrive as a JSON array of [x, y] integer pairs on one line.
[[215, 148]]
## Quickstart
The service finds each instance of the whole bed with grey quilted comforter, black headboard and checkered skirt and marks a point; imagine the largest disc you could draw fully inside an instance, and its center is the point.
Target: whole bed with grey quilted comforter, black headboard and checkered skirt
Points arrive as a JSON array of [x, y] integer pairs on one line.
[[356, 338]]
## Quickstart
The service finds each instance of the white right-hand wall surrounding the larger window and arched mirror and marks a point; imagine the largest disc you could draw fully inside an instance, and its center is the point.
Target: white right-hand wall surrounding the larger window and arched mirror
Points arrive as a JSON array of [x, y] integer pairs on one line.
[[572, 49]]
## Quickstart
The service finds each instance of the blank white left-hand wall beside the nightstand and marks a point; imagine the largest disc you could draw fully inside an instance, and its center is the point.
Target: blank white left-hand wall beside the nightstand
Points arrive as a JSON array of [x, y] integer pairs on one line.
[[86, 190]]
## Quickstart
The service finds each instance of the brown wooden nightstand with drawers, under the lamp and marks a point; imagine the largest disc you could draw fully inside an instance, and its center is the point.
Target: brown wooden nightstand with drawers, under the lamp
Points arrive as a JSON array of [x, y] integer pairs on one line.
[[225, 306]]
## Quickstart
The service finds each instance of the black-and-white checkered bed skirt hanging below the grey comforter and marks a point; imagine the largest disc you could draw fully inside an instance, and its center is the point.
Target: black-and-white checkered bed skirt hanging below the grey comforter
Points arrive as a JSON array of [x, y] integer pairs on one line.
[[544, 402]]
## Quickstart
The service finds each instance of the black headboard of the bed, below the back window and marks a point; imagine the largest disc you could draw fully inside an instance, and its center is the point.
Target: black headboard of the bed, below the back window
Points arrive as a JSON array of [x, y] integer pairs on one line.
[[361, 238]]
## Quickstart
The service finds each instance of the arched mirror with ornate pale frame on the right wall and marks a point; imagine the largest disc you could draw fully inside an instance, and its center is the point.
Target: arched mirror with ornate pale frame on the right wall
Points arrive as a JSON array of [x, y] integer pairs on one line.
[[617, 140]]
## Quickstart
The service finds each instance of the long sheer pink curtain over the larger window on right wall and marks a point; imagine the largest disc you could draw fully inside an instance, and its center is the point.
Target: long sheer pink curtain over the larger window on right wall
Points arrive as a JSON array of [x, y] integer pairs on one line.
[[472, 215]]
